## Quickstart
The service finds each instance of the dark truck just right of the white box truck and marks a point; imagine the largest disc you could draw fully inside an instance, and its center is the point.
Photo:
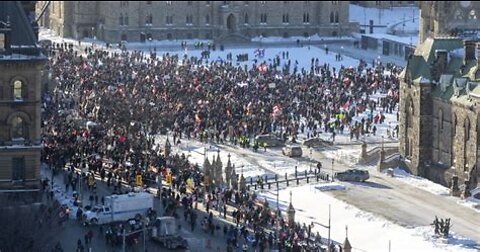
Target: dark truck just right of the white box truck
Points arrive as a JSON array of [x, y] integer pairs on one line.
[[166, 233]]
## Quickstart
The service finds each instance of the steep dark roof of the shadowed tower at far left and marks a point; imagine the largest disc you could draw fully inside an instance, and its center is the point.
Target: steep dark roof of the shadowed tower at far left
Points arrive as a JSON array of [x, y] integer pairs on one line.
[[22, 38]]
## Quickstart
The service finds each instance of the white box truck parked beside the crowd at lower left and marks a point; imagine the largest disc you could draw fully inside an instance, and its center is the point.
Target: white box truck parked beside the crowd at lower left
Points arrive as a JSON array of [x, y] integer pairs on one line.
[[120, 208]]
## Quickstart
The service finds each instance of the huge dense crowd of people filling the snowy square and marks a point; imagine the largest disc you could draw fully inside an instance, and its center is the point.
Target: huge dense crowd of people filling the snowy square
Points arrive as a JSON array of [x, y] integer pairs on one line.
[[108, 106]]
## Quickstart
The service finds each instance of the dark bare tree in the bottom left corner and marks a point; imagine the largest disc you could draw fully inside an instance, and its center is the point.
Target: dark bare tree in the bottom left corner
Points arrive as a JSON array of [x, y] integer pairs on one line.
[[28, 227]]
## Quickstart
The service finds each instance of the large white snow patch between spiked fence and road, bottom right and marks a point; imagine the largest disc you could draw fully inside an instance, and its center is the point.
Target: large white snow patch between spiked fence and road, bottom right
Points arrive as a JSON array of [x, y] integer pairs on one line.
[[366, 232]]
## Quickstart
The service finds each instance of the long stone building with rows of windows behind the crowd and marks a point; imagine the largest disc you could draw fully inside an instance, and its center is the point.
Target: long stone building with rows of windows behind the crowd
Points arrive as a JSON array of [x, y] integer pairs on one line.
[[114, 21]]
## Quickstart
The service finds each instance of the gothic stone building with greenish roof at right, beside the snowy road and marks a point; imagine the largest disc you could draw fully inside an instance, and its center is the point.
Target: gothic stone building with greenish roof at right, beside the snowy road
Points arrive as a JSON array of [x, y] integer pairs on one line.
[[440, 111]]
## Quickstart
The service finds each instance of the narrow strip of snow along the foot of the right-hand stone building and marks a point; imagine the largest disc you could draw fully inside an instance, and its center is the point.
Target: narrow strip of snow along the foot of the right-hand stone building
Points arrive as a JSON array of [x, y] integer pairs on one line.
[[420, 182]]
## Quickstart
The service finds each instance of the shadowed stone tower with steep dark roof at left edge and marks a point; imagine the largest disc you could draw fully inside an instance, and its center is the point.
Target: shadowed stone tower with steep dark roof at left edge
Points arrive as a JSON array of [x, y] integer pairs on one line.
[[21, 64]]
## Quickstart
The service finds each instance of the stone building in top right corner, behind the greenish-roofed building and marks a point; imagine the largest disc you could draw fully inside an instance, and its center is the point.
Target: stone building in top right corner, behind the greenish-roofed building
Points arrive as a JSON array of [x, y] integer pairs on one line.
[[449, 18]]
